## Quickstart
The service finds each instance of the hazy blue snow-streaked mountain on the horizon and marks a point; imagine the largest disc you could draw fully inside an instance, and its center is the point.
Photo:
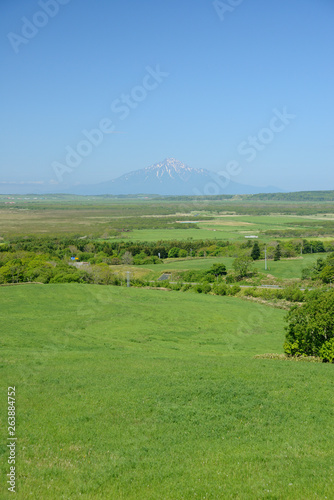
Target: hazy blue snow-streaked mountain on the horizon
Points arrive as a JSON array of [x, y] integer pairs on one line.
[[169, 177]]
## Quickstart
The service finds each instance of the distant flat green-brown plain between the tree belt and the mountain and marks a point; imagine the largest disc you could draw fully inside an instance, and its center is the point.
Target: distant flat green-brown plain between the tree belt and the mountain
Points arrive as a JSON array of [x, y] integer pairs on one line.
[[159, 219]]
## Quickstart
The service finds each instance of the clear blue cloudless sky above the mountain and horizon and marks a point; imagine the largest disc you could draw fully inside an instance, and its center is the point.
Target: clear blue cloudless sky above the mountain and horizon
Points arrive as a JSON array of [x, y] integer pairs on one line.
[[205, 82]]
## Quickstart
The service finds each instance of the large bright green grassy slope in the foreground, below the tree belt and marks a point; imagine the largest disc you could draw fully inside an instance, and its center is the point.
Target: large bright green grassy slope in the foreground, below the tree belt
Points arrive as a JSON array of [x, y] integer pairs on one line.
[[142, 394]]
